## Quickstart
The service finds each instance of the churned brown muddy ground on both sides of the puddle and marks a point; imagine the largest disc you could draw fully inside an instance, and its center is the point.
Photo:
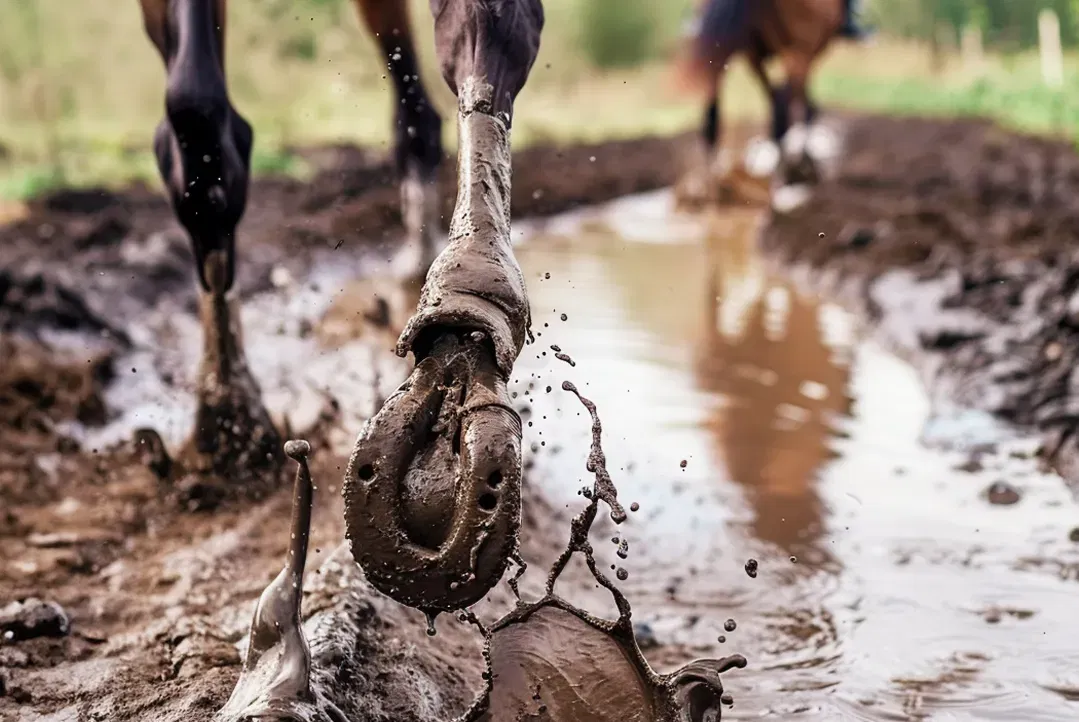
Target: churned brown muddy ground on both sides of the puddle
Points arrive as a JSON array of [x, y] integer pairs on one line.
[[957, 238]]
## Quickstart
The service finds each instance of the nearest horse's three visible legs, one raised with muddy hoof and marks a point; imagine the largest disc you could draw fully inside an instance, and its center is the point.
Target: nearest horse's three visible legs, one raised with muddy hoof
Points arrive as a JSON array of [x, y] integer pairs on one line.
[[433, 491]]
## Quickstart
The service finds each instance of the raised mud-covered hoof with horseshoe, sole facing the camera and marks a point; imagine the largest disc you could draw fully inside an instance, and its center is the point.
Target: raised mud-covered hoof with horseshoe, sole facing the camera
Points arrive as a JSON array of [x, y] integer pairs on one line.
[[433, 501]]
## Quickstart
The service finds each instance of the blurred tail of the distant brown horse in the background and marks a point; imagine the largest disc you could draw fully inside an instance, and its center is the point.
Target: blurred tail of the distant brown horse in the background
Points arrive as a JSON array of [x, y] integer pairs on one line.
[[722, 30]]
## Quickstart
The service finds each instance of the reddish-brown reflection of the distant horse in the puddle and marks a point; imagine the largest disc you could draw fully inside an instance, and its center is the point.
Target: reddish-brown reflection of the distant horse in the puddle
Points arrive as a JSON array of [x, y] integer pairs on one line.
[[762, 349]]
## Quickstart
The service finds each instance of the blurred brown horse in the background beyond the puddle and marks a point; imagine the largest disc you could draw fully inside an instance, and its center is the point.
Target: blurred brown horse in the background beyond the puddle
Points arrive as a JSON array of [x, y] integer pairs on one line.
[[796, 32]]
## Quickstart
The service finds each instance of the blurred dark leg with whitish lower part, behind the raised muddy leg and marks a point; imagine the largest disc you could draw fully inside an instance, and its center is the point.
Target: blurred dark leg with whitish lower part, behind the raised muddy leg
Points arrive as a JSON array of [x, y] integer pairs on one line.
[[418, 132]]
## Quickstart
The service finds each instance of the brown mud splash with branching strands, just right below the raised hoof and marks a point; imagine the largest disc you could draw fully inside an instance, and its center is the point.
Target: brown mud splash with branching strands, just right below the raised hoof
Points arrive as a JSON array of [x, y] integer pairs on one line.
[[552, 661]]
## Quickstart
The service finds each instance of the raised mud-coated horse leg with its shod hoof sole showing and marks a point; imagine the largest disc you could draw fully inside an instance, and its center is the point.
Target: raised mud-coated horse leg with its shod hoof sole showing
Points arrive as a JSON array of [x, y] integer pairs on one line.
[[433, 488]]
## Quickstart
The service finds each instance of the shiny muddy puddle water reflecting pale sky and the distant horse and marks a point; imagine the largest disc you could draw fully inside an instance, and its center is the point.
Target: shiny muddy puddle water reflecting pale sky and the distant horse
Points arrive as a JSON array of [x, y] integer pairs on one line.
[[750, 423]]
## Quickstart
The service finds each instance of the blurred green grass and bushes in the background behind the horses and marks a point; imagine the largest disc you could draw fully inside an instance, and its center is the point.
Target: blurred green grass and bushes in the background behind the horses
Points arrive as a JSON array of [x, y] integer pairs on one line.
[[81, 87]]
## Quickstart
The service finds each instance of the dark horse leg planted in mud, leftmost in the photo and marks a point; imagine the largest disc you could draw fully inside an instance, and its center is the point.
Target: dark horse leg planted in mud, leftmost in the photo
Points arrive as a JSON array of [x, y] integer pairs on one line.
[[203, 149]]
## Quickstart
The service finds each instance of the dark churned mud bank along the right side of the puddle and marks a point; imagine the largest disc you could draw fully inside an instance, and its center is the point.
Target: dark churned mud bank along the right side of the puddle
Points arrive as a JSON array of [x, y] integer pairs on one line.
[[980, 228]]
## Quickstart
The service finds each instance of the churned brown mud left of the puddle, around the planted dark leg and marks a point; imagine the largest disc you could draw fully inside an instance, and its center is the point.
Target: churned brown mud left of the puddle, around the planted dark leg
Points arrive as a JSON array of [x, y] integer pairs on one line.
[[102, 328]]
